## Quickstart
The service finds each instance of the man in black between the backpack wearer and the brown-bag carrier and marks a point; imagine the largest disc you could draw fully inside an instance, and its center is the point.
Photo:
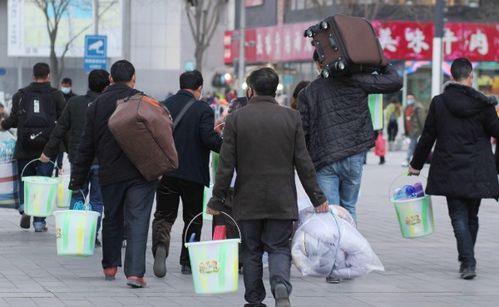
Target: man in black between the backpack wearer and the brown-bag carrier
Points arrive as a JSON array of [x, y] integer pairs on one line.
[[72, 122]]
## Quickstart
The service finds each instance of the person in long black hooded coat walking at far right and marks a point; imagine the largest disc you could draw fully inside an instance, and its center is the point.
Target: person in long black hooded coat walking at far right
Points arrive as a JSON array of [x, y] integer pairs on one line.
[[461, 122]]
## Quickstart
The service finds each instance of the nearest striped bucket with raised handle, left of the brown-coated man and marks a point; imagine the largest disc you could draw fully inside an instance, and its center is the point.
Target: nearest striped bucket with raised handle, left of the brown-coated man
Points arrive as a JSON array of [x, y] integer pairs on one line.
[[214, 264]]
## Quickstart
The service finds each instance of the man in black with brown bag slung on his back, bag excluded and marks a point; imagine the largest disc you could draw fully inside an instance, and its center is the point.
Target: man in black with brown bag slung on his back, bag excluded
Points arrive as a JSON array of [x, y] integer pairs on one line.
[[127, 195]]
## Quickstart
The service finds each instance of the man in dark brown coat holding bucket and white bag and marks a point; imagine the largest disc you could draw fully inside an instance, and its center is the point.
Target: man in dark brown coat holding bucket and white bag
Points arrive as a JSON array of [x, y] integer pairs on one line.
[[264, 143]]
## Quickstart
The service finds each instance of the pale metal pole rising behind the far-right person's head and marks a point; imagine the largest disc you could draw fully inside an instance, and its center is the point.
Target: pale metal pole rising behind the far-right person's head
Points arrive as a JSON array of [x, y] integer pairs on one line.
[[436, 73]]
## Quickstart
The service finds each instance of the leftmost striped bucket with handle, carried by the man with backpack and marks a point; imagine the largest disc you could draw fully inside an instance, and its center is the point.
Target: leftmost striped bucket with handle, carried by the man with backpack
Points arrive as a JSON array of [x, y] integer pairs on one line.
[[39, 194]]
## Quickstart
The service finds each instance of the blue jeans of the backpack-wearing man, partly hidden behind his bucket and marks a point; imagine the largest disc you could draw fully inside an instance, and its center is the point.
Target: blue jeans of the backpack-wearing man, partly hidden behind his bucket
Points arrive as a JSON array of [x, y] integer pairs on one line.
[[36, 168]]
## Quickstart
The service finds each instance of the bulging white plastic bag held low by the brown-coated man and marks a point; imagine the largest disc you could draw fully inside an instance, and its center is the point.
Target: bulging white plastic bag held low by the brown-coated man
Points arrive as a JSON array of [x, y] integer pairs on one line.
[[314, 247]]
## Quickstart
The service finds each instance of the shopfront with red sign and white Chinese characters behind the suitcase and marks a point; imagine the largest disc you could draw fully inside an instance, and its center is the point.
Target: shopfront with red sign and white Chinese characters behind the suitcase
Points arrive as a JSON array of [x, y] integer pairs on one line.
[[274, 36]]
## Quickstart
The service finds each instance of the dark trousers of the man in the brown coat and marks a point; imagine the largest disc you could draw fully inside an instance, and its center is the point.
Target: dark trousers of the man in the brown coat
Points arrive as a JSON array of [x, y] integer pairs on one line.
[[272, 236]]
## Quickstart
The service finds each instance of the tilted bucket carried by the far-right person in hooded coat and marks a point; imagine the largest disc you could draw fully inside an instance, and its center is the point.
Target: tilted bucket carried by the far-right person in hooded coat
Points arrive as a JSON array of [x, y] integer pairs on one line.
[[415, 216]]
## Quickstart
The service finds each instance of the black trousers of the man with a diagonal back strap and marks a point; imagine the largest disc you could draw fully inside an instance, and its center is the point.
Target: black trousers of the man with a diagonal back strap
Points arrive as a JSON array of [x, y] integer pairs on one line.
[[170, 191]]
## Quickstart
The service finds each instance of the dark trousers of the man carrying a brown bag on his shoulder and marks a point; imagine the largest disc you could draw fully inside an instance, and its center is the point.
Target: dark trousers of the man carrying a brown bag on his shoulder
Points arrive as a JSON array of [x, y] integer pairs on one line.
[[127, 202]]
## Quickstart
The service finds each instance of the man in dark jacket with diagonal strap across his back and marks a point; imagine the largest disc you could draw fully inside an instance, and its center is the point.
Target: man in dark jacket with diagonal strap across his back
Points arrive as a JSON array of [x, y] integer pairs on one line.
[[194, 136]]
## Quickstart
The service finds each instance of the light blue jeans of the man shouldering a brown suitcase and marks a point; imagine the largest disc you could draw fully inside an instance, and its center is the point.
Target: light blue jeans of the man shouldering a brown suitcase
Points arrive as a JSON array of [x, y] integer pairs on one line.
[[340, 182]]
